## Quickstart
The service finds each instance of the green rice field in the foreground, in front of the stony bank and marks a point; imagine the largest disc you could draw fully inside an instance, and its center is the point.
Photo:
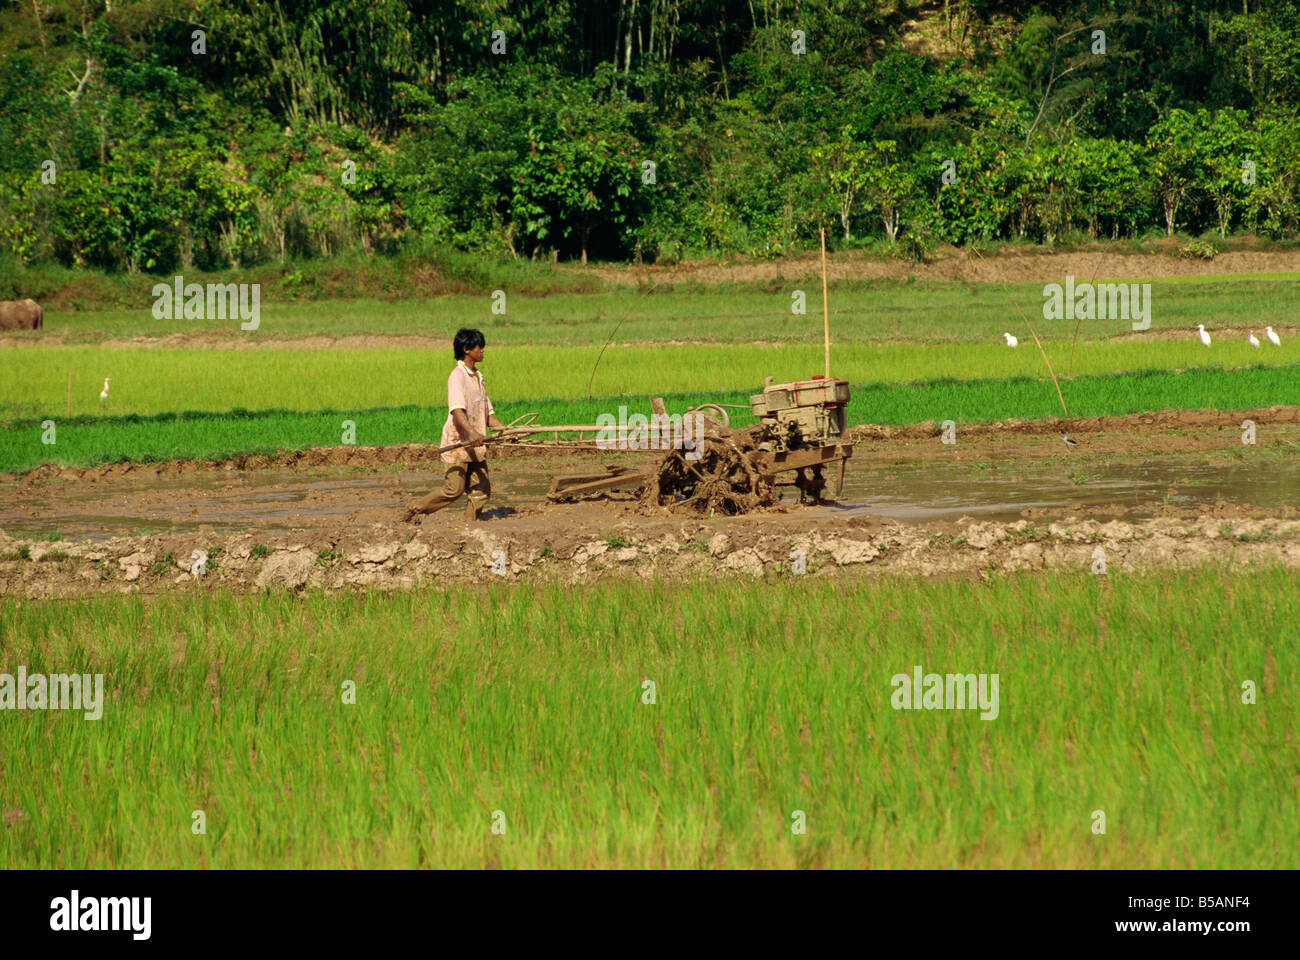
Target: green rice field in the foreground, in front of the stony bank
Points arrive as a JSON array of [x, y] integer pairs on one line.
[[1119, 695]]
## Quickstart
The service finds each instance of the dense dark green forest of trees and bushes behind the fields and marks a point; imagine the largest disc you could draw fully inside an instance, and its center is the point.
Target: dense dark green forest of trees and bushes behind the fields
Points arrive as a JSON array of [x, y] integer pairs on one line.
[[649, 129]]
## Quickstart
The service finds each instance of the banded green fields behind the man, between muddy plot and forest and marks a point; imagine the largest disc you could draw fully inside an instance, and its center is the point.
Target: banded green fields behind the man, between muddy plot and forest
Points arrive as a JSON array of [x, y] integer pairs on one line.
[[913, 352]]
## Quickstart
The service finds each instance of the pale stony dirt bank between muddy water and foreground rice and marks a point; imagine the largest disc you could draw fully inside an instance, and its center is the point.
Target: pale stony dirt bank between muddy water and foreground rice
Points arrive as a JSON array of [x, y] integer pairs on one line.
[[582, 551]]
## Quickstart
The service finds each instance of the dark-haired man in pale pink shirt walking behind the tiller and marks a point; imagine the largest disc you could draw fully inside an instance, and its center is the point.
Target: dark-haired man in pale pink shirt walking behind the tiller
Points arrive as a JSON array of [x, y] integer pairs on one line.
[[470, 414]]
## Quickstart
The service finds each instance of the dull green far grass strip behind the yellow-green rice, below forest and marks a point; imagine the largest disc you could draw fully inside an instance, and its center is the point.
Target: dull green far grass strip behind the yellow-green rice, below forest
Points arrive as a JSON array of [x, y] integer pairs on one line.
[[653, 313]]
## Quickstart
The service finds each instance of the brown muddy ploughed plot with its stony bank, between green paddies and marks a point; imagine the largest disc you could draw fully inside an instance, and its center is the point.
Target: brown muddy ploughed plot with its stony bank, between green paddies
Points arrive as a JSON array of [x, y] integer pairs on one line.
[[298, 530]]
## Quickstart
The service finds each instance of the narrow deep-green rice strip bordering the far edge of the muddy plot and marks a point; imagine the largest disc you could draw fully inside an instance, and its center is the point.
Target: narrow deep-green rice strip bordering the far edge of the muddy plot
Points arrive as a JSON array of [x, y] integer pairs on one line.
[[86, 442]]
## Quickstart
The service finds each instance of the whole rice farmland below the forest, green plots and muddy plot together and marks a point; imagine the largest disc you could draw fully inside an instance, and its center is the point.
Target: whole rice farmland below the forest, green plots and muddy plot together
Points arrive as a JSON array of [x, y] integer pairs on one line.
[[588, 686]]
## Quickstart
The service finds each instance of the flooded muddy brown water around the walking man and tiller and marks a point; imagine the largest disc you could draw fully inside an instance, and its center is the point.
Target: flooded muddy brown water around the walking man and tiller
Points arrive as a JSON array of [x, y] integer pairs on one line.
[[340, 500]]
